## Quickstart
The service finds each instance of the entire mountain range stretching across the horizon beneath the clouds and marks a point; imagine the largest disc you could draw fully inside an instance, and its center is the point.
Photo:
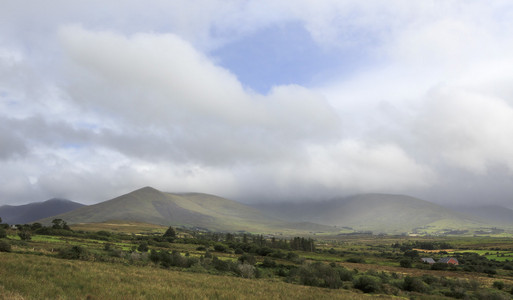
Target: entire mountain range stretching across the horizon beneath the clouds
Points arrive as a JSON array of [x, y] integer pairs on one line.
[[384, 213]]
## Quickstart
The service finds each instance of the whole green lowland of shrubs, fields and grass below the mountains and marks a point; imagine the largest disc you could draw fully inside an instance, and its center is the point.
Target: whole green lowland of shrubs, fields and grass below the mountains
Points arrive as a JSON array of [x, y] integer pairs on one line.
[[343, 266]]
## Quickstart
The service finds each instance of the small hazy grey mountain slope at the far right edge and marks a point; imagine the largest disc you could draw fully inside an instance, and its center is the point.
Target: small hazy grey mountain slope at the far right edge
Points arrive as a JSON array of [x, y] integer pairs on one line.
[[494, 214]]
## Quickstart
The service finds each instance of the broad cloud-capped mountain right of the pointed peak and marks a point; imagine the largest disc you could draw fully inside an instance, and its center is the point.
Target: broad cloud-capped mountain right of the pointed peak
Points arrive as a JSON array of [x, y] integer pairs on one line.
[[376, 212]]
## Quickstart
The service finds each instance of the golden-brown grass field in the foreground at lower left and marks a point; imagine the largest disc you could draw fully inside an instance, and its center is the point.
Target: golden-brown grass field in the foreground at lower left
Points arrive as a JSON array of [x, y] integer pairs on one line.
[[39, 277]]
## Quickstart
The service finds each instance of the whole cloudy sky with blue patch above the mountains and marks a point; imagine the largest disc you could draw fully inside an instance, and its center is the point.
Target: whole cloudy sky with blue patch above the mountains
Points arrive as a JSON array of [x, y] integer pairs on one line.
[[290, 100]]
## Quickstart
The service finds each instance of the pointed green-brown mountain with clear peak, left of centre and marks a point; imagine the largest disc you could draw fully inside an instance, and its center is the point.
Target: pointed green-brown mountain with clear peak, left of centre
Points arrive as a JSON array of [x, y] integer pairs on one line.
[[194, 210]]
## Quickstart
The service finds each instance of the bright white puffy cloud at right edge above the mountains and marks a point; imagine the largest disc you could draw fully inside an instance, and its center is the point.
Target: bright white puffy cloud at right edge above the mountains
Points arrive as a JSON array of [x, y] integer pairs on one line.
[[470, 130]]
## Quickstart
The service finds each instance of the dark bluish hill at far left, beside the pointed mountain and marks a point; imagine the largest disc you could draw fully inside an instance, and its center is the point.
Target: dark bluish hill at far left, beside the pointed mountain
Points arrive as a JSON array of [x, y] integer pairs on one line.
[[28, 213]]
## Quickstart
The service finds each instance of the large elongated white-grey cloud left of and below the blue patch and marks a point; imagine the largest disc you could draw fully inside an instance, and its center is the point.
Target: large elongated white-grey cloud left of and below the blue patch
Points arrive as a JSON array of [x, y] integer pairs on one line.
[[183, 94]]
